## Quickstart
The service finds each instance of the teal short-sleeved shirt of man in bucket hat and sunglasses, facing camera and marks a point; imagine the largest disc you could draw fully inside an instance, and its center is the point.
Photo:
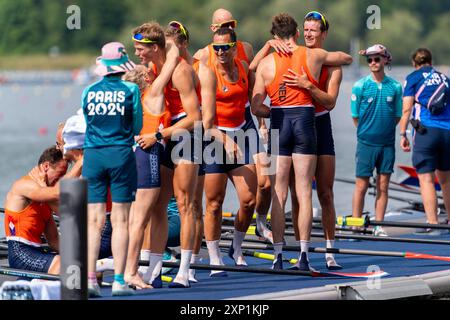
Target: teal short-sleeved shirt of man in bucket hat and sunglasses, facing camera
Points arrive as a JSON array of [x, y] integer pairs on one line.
[[378, 107]]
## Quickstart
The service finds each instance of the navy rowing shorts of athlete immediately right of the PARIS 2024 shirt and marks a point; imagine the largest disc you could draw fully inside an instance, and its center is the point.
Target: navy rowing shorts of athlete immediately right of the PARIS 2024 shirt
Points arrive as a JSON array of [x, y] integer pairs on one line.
[[148, 163]]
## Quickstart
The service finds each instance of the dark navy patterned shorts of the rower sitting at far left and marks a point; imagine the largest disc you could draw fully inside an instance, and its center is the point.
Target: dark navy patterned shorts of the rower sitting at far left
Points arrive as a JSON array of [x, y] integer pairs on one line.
[[26, 257]]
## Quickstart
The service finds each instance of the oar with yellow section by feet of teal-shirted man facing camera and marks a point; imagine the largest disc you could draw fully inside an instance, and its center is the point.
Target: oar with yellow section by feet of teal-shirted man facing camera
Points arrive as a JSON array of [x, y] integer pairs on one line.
[[366, 222]]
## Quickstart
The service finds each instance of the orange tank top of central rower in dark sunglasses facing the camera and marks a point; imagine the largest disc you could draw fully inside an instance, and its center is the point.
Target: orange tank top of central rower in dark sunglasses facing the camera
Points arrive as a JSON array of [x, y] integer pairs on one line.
[[231, 98]]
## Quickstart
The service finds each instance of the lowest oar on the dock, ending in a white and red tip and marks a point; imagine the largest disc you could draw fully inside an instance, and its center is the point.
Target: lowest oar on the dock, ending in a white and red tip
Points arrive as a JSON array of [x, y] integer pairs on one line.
[[314, 274]]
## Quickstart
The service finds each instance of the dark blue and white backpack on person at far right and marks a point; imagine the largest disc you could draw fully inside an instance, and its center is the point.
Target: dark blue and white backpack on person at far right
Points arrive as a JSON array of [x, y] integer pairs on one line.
[[438, 100]]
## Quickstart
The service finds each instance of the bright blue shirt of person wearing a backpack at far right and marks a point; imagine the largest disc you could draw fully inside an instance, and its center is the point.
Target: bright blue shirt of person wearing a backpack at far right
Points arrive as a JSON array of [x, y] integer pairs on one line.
[[412, 85]]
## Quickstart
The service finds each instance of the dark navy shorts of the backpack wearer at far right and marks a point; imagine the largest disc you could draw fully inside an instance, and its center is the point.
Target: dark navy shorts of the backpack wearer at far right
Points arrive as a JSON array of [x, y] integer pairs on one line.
[[431, 150]]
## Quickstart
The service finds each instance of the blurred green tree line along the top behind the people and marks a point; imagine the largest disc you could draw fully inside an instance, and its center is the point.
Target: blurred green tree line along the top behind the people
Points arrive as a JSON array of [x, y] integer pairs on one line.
[[36, 26]]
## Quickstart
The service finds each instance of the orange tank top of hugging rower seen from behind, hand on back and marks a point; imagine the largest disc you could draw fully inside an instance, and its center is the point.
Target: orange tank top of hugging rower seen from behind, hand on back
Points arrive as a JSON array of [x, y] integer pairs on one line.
[[282, 95]]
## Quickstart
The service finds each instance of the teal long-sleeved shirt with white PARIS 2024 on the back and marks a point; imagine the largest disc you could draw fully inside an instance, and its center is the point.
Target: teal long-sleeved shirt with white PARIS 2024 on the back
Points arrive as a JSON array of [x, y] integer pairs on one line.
[[113, 112]]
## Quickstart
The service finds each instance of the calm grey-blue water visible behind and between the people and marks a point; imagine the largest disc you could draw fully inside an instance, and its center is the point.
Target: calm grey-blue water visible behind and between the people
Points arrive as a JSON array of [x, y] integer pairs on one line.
[[29, 114]]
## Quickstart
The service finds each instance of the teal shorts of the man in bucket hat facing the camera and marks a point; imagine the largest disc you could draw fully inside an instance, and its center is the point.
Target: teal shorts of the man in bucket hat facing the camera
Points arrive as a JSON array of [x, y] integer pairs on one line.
[[369, 158]]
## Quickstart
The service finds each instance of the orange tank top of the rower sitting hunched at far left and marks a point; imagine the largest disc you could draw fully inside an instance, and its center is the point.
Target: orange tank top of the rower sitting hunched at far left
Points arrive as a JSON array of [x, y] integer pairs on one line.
[[28, 225]]
